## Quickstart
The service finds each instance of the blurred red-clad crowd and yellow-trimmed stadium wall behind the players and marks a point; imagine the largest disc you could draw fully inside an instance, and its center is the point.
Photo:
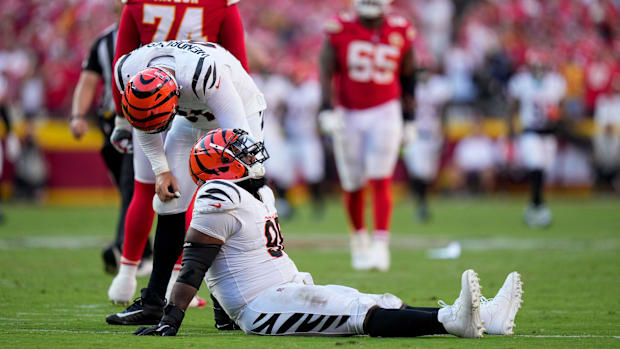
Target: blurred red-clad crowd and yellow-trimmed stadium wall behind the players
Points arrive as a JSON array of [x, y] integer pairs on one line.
[[43, 43]]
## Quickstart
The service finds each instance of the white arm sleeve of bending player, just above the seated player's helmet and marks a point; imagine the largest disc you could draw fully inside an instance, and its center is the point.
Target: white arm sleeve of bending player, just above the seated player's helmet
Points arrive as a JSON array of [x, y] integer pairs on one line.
[[225, 102]]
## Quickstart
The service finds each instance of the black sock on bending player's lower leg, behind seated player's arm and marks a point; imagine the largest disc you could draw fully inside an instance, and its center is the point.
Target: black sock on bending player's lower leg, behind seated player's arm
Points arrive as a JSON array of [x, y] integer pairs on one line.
[[169, 237]]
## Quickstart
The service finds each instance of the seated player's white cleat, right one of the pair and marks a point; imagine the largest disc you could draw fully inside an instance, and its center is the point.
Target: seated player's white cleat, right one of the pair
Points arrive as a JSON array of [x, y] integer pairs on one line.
[[498, 313]]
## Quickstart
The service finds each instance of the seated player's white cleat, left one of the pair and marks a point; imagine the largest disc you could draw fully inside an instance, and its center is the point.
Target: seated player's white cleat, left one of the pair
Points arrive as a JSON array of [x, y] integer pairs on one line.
[[463, 317]]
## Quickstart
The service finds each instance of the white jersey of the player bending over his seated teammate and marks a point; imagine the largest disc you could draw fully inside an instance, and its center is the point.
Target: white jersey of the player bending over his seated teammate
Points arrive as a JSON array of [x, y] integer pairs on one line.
[[202, 72]]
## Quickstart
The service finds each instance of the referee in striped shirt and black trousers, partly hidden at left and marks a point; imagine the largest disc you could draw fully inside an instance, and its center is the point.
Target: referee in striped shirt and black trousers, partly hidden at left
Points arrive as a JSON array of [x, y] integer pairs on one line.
[[97, 66]]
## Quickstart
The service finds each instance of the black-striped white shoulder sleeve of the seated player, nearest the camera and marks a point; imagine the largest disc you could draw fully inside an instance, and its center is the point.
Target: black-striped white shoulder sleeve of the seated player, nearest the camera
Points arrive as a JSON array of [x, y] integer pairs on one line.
[[214, 200]]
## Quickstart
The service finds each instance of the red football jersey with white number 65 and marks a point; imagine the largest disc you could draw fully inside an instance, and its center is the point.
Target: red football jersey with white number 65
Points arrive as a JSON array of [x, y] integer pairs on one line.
[[368, 60]]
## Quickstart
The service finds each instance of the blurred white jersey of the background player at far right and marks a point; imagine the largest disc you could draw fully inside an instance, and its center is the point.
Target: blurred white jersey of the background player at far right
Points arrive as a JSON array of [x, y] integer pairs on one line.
[[536, 97]]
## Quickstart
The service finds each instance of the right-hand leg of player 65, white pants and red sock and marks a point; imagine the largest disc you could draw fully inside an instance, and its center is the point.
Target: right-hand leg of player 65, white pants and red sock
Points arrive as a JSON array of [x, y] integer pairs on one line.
[[380, 156]]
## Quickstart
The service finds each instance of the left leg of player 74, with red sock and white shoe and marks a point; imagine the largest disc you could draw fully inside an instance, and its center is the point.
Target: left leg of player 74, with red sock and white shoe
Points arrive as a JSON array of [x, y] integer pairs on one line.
[[138, 223]]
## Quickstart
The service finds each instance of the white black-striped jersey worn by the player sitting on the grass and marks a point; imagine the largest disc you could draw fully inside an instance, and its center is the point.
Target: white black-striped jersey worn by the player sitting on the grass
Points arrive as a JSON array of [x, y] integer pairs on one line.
[[252, 258]]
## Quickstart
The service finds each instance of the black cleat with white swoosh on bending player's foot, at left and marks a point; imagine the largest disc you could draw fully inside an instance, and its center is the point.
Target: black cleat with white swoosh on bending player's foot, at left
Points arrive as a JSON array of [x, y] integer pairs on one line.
[[144, 311]]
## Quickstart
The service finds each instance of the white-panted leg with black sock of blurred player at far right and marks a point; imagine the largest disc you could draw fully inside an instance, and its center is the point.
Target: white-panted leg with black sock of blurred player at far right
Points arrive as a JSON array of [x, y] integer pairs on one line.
[[533, 149]]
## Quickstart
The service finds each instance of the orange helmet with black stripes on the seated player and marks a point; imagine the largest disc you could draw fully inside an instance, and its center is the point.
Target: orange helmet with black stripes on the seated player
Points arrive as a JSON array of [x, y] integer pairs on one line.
[[227, 154]]
